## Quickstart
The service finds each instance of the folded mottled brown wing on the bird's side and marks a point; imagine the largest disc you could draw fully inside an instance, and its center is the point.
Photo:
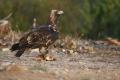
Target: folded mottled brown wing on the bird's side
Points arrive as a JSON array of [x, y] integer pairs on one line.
[[37, 38]]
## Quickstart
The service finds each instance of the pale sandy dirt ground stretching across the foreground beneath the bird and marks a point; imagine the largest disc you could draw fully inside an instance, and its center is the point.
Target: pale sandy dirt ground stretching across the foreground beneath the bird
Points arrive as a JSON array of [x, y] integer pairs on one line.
[[102, 64]]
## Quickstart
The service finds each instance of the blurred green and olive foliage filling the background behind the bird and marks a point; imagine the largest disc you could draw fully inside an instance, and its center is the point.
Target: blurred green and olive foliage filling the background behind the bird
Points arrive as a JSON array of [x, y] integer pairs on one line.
[[95, 19]]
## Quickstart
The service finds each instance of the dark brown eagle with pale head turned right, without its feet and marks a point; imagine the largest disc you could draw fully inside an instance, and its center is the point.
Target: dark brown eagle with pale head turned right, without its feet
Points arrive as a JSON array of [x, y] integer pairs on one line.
[[39, 36]]
